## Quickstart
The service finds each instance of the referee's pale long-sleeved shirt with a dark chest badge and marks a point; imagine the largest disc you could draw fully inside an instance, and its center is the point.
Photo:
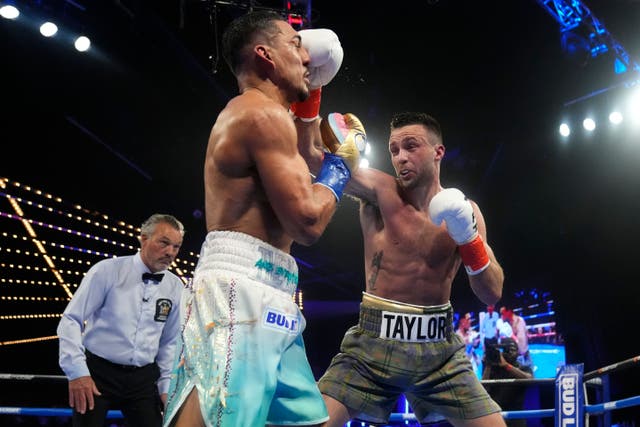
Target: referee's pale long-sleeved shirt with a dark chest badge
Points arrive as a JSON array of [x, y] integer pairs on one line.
[[128, 321]]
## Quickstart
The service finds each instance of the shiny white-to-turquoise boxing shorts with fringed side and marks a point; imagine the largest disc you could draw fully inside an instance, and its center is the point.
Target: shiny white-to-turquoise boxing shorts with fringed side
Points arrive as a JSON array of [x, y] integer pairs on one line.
[[241, 346]]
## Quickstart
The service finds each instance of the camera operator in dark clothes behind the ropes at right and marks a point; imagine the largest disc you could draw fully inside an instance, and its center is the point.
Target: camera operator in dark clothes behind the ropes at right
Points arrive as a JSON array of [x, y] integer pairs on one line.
[[502, 365]]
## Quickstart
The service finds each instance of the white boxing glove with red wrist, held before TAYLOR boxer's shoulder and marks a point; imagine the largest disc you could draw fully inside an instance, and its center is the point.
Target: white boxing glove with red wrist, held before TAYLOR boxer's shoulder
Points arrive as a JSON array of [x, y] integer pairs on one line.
[[451, 205]]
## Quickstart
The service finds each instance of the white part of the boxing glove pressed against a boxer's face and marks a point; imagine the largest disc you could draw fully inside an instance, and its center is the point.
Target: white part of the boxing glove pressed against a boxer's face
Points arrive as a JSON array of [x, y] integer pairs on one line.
[[326, 55]]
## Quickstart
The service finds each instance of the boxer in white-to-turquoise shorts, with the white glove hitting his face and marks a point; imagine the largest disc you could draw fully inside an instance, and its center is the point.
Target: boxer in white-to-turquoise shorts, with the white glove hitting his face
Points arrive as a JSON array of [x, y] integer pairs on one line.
[[242, 361]]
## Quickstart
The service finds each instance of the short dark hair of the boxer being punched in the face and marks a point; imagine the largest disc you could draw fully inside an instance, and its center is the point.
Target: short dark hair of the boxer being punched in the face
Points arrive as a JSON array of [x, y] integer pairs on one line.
[[241, 31]]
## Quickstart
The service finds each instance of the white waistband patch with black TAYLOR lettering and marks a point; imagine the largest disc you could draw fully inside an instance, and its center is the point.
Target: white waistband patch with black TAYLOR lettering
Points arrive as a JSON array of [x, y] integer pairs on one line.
[[413, 327]]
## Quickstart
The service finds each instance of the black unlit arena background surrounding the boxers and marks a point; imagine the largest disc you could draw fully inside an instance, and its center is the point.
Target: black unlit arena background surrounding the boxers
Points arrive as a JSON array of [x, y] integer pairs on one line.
[[122, 129]]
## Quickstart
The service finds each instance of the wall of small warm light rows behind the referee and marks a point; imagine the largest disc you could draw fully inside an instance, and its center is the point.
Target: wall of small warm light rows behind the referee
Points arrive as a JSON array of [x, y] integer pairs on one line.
[[47, 245]]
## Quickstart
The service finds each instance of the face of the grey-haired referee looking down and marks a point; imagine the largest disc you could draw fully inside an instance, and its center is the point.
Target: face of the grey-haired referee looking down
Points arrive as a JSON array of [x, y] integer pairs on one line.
[[160, 249]]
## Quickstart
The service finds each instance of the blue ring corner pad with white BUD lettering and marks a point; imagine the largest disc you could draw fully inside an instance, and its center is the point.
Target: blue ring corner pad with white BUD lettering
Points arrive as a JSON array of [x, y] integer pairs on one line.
[[569, 411]]
